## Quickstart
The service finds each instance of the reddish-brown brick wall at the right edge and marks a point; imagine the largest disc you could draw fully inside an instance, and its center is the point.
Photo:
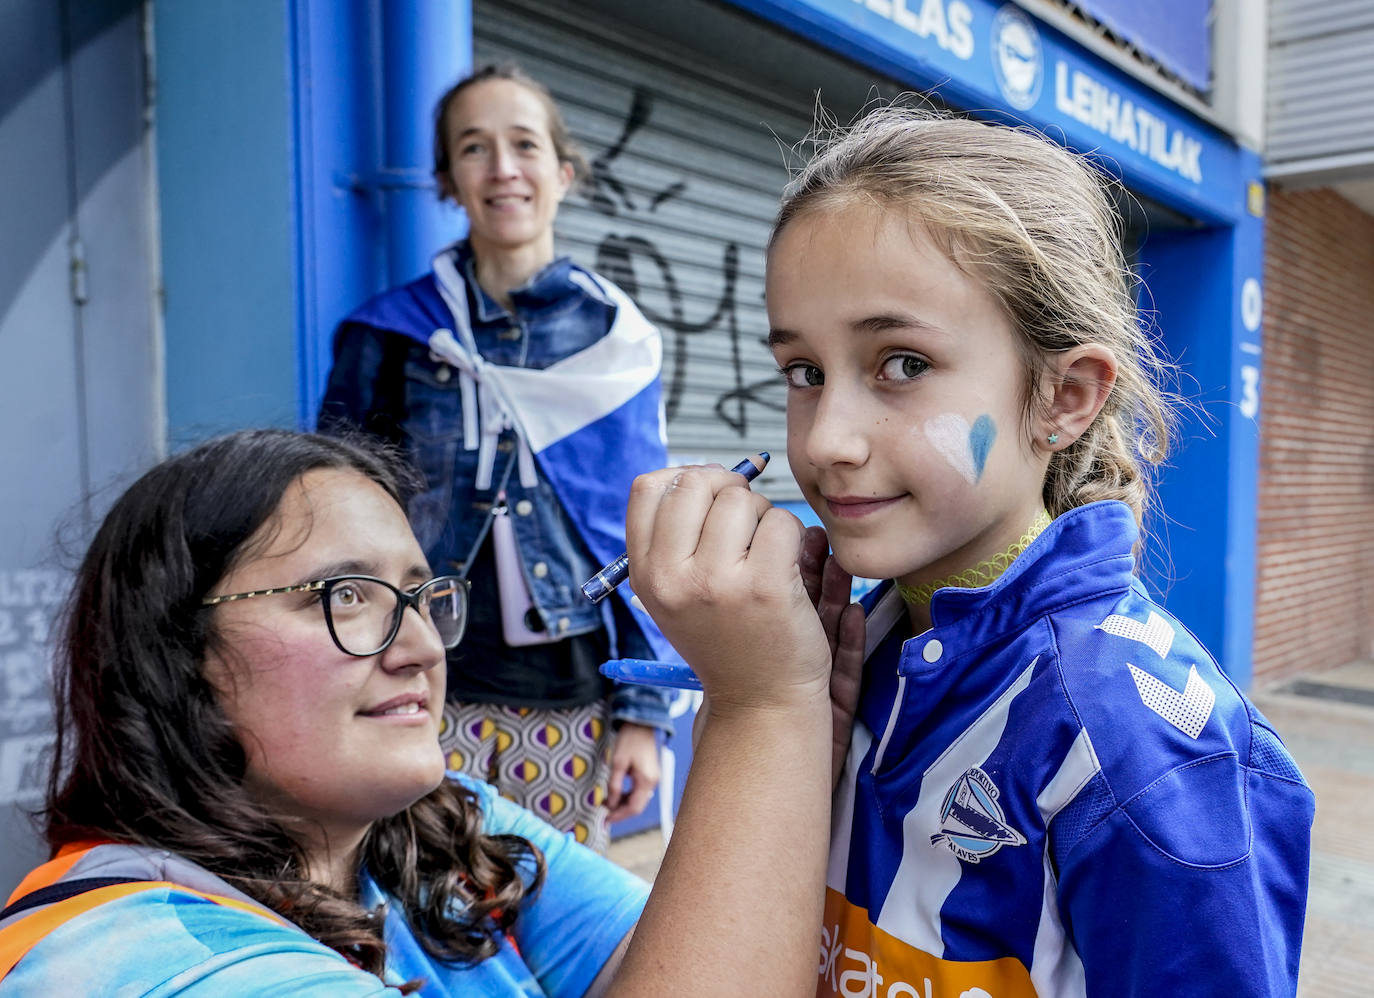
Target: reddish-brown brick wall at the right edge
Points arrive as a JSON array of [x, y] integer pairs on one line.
[[1316, 603]]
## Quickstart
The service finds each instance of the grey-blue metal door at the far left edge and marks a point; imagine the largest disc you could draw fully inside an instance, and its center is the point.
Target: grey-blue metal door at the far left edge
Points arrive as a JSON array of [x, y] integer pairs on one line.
[[79, 386]]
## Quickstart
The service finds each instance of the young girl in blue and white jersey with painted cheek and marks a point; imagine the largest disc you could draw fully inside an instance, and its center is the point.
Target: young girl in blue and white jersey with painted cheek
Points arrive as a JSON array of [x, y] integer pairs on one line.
[[1052, 787]]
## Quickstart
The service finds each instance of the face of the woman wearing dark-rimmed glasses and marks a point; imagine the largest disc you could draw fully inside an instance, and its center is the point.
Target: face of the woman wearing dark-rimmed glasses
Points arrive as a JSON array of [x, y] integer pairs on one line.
[[329, 738]]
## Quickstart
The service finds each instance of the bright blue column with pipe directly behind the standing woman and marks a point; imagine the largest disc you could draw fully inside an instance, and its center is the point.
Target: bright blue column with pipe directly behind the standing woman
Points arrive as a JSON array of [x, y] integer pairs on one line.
[[366, 78]]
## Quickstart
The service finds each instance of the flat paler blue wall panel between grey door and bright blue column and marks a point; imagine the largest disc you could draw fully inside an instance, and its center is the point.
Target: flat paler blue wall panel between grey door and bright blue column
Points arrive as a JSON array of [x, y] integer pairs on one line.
[[226, 193]]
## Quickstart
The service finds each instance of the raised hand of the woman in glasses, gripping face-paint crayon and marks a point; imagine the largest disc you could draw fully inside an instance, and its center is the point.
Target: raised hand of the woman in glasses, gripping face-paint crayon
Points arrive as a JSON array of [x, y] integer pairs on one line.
[[718, 568]]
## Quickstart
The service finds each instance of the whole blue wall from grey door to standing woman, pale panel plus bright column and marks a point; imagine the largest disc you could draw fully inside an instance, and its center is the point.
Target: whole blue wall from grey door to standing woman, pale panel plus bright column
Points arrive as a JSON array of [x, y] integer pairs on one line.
[[293, 160]]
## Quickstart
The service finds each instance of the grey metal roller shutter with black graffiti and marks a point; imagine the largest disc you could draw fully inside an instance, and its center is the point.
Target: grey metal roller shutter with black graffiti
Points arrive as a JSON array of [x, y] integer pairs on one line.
[[688, 167]]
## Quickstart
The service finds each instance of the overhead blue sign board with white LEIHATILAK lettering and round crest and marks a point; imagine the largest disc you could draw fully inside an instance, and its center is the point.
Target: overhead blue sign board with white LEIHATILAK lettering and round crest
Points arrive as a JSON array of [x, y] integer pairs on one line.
[[997, 60]]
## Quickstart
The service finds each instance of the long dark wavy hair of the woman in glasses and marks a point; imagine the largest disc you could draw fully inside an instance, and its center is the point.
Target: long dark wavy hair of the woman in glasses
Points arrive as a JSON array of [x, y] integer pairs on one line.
[[146, 755]]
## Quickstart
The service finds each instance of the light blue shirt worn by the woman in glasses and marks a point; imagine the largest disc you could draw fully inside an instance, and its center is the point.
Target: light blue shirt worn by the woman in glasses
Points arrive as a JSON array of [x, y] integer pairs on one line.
[[159, 942]]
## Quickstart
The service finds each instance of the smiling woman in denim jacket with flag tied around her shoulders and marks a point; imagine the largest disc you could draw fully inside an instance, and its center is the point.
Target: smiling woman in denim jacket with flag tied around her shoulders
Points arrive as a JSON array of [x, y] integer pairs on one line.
[[455, 368]]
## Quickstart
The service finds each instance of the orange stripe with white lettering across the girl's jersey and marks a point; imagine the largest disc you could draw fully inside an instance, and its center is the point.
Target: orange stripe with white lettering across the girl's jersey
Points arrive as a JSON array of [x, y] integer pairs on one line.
[[858, 960]]
